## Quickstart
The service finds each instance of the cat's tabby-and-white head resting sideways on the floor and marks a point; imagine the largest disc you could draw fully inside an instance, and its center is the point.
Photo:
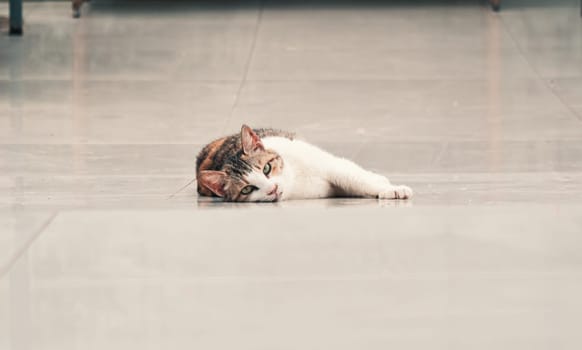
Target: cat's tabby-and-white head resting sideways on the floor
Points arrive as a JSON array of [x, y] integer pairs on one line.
[[252, 174]]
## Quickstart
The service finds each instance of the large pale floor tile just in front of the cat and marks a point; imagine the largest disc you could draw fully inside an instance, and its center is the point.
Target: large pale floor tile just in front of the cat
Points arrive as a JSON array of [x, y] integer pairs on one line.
[[299, 249]]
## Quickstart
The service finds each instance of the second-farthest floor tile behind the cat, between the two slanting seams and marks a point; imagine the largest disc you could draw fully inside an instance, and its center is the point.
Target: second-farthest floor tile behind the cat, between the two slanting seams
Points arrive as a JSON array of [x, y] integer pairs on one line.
[[386, 64]]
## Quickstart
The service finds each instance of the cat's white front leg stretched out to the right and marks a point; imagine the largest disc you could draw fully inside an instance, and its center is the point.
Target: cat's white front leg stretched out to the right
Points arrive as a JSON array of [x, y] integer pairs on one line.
[[353, 180]]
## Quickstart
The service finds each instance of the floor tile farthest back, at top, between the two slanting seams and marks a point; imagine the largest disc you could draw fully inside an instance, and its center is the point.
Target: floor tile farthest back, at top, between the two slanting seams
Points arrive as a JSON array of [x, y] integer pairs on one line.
[[383, 26]]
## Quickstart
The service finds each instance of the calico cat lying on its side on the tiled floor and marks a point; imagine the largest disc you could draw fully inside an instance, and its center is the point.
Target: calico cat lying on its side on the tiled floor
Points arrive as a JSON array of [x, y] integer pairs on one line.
[[268, 165]]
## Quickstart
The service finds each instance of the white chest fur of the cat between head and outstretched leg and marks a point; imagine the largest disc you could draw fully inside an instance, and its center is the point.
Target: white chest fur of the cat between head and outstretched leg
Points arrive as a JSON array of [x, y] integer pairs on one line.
[[304, 175]]
